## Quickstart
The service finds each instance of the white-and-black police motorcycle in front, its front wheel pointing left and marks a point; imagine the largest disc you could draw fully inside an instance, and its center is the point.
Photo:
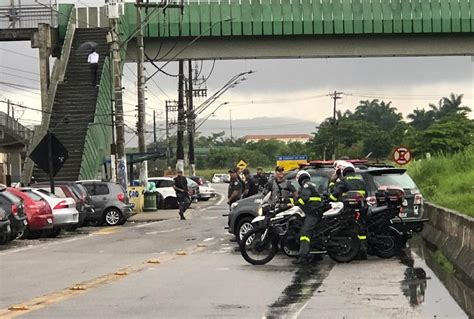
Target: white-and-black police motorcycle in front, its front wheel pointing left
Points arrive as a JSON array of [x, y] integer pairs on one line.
[[335, 234]]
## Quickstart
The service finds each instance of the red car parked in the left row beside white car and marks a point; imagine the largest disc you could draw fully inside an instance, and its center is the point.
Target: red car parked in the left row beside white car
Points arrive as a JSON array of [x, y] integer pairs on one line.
[[38, 212]]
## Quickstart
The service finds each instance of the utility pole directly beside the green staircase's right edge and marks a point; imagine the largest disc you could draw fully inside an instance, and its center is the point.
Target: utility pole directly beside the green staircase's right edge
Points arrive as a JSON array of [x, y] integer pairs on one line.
[[117, 94]]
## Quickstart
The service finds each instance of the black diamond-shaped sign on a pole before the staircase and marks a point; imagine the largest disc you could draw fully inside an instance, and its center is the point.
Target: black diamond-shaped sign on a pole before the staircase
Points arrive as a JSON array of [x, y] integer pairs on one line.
[[50, 155]]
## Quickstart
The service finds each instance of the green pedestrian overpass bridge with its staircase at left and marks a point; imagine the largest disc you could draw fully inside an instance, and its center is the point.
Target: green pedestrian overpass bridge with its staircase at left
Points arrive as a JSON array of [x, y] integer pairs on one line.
[[250, 29]]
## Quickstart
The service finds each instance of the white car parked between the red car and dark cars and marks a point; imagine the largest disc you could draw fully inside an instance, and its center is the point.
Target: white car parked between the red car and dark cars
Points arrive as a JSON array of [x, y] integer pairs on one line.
[[64, 210]]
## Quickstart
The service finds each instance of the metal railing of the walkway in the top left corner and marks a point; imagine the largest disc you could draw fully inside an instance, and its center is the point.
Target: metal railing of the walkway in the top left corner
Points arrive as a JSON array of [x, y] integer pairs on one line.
[[24, 16]]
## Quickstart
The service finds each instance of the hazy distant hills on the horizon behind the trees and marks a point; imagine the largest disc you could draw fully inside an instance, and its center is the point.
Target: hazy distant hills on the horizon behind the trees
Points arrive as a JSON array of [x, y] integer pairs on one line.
[[258, 125]]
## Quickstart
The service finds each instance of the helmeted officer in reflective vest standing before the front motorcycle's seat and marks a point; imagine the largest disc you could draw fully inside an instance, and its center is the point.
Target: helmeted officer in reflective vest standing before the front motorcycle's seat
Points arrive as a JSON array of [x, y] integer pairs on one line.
[[311, 203]]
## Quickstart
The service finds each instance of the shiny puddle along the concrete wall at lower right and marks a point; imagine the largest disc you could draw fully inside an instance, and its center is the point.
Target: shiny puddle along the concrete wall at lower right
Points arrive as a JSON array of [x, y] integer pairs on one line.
[[431, 289]]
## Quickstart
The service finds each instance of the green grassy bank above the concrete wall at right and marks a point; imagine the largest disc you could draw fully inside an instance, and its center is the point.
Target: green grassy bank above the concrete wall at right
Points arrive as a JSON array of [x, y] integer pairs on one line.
[[447, 180]]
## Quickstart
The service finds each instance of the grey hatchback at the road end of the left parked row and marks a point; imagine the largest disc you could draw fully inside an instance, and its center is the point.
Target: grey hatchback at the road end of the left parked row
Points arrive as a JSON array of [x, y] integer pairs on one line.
[[110, 203]]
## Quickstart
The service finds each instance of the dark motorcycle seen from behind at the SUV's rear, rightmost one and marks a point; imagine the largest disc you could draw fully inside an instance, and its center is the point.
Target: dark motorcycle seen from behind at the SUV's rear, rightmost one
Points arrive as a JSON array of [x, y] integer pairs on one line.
[[384, 239]]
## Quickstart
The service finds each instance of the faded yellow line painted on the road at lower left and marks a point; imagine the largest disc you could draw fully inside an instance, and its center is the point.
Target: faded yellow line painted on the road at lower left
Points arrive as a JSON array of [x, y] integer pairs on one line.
[[56, 297]]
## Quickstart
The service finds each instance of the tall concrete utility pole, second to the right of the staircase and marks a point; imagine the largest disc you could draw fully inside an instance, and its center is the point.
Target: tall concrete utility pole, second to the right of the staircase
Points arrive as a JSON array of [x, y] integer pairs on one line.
[[141, 97]]
